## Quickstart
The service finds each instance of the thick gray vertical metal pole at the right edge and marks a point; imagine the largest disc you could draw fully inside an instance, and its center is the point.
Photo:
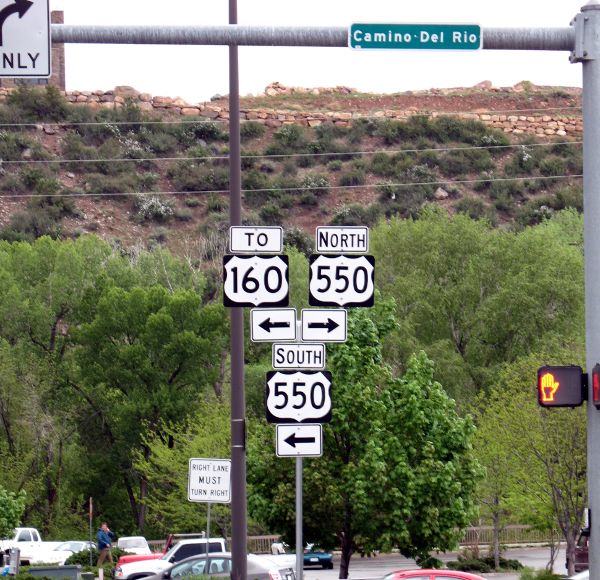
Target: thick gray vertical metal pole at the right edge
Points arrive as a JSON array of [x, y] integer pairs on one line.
[[587, 51]]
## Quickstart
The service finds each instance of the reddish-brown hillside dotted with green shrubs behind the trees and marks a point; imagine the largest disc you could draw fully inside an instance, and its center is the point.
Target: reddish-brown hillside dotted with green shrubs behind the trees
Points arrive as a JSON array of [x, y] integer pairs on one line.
[[141, 179]]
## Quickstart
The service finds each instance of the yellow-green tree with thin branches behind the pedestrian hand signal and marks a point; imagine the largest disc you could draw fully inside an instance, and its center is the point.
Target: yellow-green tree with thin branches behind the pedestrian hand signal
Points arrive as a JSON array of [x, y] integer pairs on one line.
[[548, 457]]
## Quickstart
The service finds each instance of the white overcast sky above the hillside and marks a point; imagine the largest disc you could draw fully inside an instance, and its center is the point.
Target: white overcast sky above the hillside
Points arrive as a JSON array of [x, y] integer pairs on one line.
[[198, 72]]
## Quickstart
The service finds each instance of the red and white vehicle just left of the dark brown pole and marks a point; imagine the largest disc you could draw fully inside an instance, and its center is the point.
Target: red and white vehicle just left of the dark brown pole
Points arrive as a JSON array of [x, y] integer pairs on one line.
[[143, 566]]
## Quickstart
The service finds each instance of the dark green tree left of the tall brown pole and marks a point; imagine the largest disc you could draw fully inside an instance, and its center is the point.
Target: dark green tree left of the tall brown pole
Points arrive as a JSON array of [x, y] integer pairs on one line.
[[145, 359]]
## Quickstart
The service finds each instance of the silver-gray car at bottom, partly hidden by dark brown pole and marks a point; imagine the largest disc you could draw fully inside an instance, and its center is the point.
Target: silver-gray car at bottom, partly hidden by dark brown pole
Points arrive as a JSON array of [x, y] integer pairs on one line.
[[220, 564]]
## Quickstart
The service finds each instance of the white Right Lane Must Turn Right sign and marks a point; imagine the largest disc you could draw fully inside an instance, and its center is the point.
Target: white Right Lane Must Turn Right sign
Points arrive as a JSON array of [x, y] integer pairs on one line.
[[209, 480]]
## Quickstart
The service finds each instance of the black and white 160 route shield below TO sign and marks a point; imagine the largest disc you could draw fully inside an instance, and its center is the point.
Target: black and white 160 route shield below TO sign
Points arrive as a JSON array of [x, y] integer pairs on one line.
[[255, 280]]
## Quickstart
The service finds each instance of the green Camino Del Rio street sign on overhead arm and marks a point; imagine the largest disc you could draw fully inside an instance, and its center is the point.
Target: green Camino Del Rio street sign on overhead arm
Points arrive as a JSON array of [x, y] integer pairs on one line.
[[415, 36]]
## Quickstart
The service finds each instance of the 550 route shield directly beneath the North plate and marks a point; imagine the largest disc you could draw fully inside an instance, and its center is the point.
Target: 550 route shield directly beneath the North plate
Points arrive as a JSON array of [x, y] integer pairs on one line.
[[341, 280]]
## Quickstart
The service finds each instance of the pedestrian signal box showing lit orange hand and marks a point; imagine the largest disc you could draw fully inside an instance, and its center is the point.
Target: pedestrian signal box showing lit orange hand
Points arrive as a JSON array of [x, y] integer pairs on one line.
[[561, 386]]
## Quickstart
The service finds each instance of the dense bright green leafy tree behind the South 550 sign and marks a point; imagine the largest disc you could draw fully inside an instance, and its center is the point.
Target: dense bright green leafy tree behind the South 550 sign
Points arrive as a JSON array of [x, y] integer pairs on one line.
[[397, 468]]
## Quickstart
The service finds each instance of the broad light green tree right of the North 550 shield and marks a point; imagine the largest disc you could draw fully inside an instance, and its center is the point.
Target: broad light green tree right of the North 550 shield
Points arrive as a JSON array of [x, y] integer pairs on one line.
[[474, 297]]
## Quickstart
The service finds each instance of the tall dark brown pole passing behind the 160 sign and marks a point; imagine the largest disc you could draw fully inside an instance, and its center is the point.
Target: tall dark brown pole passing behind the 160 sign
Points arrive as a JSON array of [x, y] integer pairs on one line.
[[239, 540]]
